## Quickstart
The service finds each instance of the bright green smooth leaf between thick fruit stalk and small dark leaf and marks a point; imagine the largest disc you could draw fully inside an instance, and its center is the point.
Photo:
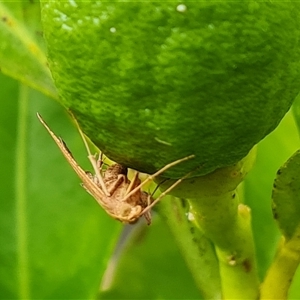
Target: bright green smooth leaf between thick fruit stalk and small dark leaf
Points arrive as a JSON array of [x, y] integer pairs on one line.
[[257, 187]]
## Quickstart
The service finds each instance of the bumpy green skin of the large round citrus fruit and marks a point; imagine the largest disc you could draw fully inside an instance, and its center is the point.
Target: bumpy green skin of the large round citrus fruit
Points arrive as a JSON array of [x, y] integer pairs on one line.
[[152, 82]]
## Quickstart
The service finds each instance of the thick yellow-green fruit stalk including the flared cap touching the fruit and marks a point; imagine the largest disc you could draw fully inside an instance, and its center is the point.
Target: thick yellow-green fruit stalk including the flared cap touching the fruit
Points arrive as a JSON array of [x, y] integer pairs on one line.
[[216, 210]]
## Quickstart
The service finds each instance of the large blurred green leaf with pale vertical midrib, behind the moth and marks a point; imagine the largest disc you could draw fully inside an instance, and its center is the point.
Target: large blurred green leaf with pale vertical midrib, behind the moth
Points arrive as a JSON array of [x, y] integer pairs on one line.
[[55, 239]]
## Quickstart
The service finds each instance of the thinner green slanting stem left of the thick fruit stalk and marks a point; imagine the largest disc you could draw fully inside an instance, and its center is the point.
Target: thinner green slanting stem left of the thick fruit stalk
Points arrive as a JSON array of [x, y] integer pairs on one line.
[[196, 249]]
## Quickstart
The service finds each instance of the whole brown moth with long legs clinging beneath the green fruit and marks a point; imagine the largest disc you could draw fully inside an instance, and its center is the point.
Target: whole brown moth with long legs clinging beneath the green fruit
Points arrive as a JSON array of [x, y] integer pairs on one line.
[[119, 197]]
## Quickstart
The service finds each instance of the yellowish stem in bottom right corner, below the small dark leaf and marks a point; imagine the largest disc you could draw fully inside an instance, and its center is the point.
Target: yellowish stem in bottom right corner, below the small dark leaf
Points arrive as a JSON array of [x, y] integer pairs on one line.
[[282, 270]]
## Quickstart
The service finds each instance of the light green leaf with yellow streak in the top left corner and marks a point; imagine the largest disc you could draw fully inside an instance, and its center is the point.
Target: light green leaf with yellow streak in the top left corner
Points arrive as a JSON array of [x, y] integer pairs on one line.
[[20, 54]]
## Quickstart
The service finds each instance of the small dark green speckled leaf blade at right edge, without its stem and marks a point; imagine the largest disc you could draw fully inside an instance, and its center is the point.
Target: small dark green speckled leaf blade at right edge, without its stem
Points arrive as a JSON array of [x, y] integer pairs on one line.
[[286, 196]]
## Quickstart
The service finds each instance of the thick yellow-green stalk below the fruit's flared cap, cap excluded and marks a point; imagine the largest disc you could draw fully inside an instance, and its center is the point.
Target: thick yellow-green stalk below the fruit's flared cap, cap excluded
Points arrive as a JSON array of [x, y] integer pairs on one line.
[[229, 227]]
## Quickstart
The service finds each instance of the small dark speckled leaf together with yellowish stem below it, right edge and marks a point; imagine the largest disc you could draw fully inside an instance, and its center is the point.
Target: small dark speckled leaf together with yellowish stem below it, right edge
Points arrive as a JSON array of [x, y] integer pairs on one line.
[[286, 211]]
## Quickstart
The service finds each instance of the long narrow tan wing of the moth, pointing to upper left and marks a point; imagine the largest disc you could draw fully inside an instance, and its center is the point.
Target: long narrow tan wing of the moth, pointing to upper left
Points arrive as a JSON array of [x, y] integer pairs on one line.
[[88, 183]]
